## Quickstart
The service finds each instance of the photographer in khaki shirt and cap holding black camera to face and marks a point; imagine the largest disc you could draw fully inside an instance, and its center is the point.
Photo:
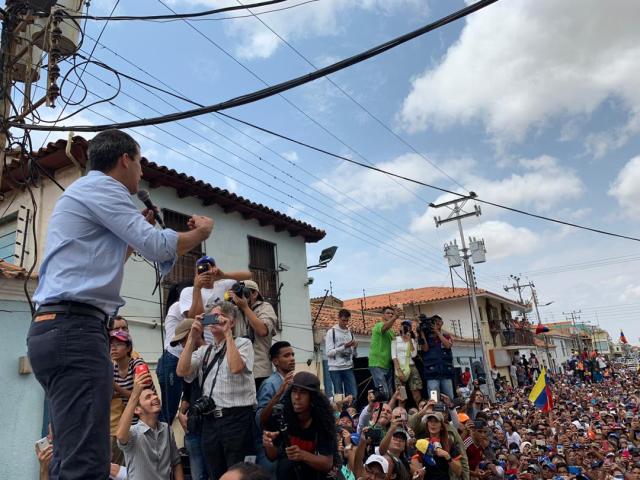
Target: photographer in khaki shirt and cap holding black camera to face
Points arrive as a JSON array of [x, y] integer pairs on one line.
[[258, 325]]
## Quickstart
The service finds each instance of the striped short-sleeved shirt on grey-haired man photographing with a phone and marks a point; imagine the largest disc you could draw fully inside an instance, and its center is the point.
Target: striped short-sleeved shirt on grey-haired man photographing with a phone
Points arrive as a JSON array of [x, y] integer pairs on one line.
[[231, 390]]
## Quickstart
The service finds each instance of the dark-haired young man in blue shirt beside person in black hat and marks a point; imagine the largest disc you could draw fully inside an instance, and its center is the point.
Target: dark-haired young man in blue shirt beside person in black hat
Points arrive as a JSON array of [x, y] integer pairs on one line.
[[271, 392]]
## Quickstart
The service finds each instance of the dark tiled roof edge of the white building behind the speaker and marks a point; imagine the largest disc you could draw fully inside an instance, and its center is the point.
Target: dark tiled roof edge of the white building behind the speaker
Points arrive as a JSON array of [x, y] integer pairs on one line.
[[53, 157]]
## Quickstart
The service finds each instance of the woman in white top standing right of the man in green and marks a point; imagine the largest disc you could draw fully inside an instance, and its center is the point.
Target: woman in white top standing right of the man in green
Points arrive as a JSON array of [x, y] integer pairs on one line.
[[403, 351]]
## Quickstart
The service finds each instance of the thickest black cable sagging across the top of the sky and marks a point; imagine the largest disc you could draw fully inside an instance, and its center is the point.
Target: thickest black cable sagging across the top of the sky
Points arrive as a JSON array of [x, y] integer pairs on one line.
[[274, 89]]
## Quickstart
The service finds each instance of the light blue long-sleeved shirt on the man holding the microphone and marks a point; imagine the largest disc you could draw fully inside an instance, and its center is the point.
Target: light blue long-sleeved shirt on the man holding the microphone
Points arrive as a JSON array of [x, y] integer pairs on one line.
[[92, 225]]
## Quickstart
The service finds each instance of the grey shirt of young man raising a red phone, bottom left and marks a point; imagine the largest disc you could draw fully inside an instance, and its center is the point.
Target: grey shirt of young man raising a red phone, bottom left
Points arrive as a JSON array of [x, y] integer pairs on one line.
[[150, 454]]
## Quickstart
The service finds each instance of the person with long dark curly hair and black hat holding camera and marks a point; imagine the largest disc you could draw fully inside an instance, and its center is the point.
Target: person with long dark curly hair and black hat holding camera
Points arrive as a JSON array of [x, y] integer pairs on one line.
[[305, 442]]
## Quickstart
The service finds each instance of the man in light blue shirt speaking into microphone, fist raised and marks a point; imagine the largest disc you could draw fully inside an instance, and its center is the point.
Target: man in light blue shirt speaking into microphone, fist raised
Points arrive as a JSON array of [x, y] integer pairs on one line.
[[94, 228]]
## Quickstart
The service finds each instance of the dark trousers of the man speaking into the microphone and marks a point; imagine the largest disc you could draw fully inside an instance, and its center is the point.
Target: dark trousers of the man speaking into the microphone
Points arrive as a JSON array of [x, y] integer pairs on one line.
[[70, 358]]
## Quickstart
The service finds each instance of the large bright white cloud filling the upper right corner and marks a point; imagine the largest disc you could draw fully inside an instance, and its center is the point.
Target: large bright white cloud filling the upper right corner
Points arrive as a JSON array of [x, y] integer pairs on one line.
[[519, 63]]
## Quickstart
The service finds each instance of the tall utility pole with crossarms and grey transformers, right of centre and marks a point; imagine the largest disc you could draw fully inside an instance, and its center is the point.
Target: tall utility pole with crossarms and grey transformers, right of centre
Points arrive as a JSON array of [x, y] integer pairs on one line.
[[477, 253]]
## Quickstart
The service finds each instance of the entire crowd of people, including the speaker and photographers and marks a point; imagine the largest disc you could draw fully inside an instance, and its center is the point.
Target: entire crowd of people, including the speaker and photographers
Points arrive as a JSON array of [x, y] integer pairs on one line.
[[245, 410]]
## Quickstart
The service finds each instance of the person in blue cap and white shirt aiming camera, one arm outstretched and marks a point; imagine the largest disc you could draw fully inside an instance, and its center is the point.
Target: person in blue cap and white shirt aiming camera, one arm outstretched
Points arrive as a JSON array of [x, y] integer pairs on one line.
[[209, 287]]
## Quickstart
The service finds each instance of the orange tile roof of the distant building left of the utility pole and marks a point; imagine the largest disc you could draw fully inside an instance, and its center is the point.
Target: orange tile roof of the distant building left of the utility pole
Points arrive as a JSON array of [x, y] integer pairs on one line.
[[411, 295]]
